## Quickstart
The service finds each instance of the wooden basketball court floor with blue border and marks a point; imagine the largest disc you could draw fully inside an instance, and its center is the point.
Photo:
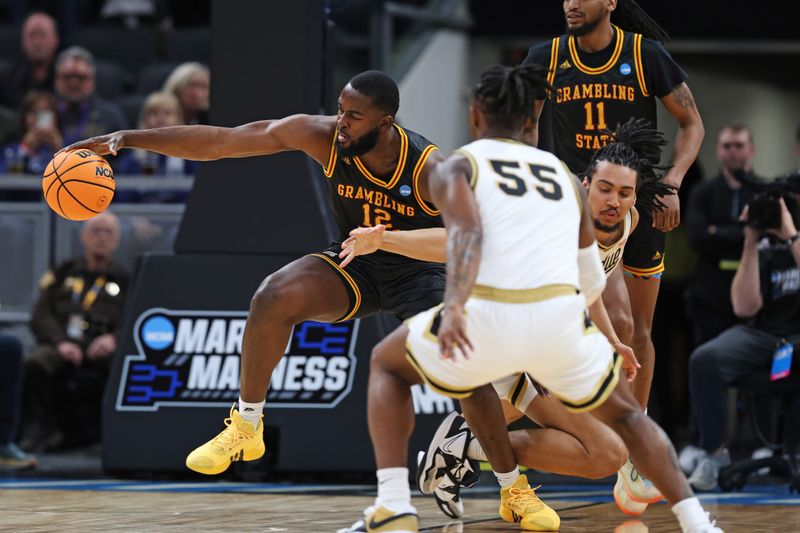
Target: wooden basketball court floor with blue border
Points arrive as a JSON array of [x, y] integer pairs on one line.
[[102, 504]]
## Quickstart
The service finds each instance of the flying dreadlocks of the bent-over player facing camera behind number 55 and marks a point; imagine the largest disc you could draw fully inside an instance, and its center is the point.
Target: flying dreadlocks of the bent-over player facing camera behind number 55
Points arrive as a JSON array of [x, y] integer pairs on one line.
[[636, 145]]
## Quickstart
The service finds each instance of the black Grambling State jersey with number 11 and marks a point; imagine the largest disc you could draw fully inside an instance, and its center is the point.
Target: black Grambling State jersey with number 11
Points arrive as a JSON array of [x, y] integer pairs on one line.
[[587, 100]]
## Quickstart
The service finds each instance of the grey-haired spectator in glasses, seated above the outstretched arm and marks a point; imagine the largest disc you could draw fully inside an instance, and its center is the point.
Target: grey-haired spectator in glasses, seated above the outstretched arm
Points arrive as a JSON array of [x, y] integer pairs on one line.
[[81, 111]]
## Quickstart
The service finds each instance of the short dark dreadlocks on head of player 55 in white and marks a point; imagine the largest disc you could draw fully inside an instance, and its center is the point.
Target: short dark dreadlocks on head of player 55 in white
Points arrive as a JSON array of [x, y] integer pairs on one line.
[[506, 94]]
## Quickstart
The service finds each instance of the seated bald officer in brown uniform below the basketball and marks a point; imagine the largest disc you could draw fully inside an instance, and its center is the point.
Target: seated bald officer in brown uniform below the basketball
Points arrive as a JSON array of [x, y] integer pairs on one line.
[[75, 321]]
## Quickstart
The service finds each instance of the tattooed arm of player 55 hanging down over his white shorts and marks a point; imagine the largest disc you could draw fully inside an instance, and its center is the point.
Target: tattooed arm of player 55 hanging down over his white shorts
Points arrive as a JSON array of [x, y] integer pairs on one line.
[[450, 191]]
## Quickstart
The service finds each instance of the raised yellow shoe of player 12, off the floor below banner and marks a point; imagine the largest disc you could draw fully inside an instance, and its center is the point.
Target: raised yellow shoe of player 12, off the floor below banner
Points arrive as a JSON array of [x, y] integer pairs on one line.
[[239, 441]]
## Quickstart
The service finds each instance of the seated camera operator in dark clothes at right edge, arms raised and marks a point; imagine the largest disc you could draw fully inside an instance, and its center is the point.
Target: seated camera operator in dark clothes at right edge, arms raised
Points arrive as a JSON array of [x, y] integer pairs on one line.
[[765, 290]]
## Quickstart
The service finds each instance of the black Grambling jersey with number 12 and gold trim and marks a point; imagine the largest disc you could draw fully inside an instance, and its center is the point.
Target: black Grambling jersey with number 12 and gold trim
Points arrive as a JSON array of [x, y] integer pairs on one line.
[[359, 198]]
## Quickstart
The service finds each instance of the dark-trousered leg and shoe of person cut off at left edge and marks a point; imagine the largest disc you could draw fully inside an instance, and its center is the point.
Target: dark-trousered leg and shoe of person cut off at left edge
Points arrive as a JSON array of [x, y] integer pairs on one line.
[[10, 379]]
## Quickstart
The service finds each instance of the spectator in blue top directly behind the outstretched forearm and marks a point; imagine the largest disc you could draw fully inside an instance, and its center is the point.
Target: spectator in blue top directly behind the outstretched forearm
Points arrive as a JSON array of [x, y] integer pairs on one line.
[[161, 109]]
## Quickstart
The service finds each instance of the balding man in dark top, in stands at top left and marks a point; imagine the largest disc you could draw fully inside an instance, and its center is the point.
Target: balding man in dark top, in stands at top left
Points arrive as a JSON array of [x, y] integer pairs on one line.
[[34, 70]]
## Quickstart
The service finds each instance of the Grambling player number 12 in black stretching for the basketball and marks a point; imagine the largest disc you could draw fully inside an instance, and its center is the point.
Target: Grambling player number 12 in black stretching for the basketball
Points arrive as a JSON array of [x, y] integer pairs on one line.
[[371, 164]]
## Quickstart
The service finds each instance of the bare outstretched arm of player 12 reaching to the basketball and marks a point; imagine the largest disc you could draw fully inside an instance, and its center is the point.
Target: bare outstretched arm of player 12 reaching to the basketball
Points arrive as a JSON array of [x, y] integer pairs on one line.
[[308, 133]]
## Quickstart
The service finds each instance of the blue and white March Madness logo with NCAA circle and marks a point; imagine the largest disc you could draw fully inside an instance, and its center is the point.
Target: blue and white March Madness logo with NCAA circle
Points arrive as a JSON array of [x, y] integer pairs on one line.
[[192, 359]]
